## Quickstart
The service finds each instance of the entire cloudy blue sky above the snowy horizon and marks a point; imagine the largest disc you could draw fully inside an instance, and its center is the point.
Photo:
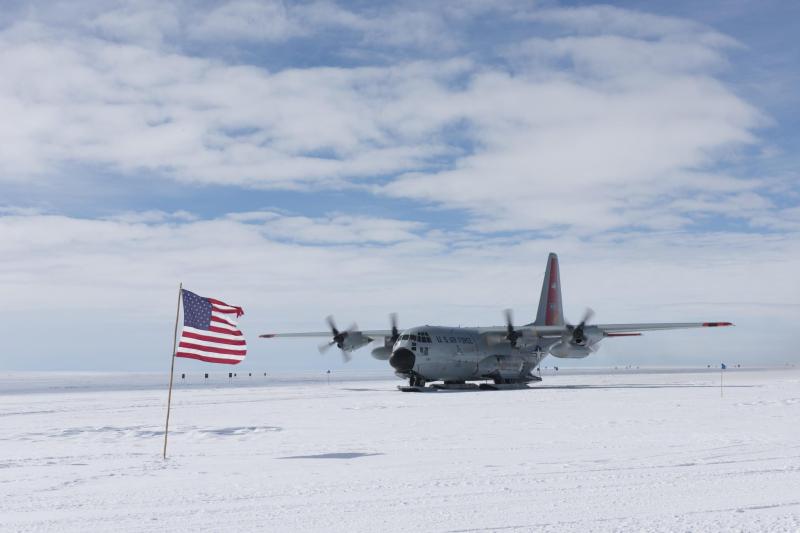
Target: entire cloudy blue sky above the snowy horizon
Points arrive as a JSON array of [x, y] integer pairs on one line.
[[301, 159]]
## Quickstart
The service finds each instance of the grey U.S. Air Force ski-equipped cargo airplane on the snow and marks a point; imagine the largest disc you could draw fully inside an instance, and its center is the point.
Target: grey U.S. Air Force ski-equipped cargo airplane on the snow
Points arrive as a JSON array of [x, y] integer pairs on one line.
[[506, 355]]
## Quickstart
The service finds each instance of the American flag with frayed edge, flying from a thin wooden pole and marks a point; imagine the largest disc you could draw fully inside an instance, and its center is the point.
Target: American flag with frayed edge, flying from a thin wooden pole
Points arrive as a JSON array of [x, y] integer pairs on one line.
[[210, 332]]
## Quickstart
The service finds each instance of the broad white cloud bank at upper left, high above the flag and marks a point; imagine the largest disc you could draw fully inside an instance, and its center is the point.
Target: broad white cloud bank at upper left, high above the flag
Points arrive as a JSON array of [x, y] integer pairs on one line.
[[193, 119]]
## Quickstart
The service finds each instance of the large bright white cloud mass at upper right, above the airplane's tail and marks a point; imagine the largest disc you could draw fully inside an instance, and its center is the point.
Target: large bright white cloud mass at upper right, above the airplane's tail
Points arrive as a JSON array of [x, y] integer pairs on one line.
[[588, 145]]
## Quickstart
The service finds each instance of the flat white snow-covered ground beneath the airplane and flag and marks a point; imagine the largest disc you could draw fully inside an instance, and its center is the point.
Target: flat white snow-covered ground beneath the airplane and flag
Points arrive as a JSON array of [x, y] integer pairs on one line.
[[580, 452]]
